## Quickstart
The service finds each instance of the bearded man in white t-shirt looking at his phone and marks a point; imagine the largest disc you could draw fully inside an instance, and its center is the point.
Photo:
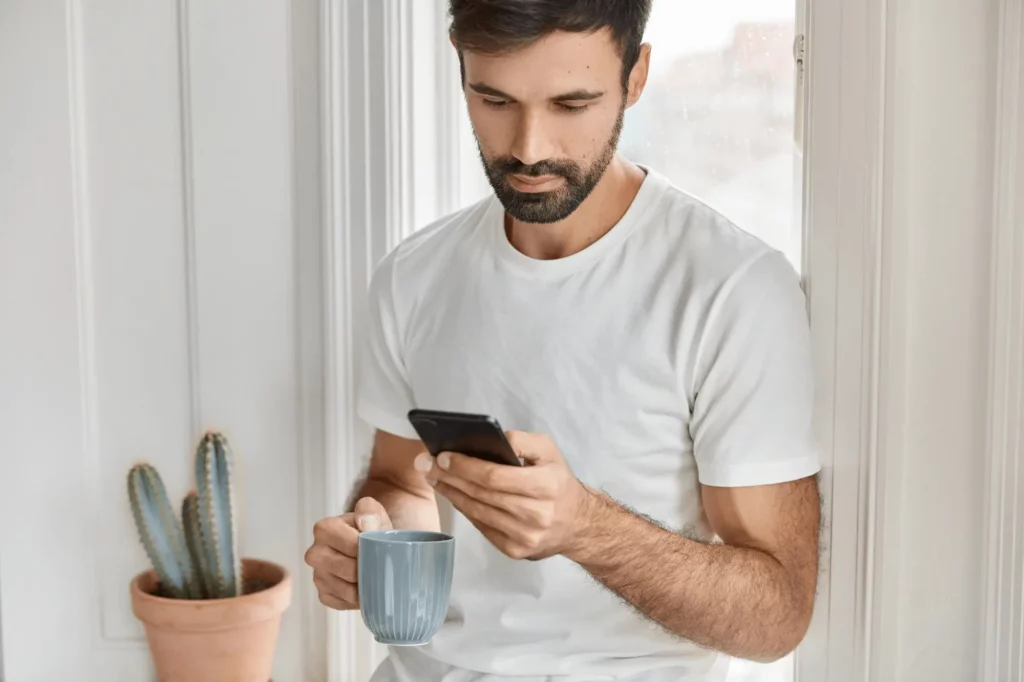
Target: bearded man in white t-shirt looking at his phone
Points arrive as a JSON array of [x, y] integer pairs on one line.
[[652, 360]]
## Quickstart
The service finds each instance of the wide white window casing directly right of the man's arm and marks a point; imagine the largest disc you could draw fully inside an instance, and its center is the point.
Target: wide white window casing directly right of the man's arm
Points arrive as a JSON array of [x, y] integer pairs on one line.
[[854, 257]]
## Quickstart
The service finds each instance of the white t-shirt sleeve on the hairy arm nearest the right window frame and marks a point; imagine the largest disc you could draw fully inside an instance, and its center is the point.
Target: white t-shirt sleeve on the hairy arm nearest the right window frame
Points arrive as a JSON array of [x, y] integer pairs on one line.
[[754, 387]]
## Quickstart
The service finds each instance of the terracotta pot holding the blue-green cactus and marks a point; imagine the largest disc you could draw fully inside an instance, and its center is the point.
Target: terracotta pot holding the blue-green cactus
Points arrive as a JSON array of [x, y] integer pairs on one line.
[[215, 641]]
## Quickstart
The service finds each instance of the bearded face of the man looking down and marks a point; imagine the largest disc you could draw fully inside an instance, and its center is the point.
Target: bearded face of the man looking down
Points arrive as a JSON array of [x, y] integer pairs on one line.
[[547, 121]]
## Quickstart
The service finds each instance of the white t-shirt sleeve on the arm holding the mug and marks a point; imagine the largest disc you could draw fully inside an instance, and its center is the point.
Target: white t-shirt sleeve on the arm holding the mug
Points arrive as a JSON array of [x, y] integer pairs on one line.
[[385, 396]]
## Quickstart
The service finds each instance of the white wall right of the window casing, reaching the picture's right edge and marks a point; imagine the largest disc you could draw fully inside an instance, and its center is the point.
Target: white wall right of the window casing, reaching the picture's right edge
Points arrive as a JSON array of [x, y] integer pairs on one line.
[[952, 410]]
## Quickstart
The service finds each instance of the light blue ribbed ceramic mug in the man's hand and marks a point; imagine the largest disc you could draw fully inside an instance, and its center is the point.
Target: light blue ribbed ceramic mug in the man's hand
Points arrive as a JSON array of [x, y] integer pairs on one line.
[[405, 580]]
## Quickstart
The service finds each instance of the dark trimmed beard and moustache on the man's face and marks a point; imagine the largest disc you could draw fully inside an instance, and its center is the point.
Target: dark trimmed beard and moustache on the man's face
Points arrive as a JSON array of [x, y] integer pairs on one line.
[[548, 207]]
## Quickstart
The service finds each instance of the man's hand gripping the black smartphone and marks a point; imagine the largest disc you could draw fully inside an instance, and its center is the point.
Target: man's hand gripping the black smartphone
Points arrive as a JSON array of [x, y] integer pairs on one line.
[[529, 513]]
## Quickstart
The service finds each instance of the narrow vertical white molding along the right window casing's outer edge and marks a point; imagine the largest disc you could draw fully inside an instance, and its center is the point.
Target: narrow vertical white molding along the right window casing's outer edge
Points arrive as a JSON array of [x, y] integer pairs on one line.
[[889, 361]]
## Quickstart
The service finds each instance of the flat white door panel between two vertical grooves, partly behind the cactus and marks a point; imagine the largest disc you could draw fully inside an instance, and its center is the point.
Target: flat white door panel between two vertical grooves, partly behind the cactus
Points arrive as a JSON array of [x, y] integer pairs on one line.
[[136, 277]]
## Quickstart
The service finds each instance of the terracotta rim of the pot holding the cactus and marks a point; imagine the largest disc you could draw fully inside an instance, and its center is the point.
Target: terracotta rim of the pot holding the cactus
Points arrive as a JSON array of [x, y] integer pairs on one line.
[[207, 614]]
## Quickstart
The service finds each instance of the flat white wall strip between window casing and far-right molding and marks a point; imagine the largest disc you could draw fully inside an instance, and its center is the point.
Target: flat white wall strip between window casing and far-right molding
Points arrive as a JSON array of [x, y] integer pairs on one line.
[[944, 109]]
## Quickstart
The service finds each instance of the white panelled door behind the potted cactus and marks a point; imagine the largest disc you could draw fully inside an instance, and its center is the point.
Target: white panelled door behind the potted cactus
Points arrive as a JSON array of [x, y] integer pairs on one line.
[[149, 290]]
